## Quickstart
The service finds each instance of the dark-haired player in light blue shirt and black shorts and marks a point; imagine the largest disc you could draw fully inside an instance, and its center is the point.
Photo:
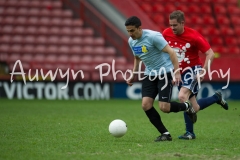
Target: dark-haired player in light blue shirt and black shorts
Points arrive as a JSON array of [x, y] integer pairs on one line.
[[159, 59]]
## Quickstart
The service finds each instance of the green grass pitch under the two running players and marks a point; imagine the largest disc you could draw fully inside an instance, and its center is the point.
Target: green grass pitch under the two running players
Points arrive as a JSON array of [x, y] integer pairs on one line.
[[54, 130]]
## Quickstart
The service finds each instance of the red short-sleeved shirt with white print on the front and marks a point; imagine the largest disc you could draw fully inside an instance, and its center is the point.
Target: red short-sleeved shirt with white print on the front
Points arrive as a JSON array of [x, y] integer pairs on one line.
[[187, 46]]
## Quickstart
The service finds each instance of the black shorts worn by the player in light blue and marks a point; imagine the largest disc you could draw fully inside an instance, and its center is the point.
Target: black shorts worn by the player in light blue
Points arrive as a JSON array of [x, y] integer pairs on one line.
[[161, 87]]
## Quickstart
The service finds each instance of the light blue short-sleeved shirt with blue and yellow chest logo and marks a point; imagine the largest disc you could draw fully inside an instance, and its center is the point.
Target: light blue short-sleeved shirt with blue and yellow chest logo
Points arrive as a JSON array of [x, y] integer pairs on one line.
[[149, 49]]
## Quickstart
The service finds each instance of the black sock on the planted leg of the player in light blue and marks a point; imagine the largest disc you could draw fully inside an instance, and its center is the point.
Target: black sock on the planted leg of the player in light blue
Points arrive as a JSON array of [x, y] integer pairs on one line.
[[155, 119]]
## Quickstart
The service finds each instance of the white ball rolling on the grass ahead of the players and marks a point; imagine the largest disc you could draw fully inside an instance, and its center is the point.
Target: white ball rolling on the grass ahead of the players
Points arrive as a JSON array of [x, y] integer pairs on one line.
[[118, 128]]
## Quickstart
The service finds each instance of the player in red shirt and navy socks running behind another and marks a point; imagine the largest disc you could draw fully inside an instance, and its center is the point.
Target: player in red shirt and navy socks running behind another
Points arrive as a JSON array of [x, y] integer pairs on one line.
[[187, 43]]
